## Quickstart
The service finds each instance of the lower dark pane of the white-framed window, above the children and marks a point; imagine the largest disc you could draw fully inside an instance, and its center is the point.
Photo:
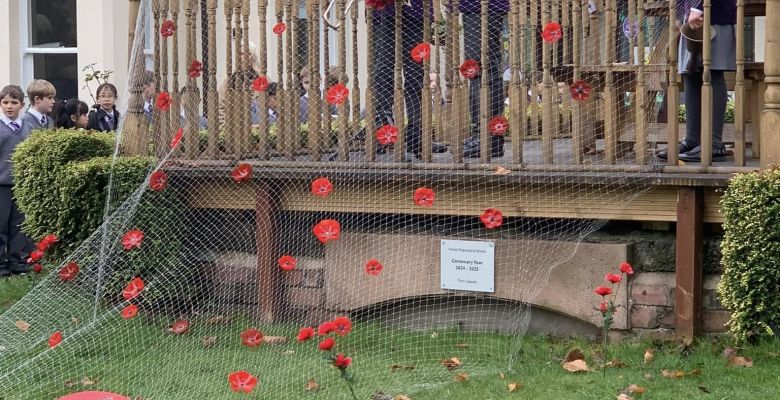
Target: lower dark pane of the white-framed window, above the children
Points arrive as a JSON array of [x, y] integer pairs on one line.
[[59, 69]]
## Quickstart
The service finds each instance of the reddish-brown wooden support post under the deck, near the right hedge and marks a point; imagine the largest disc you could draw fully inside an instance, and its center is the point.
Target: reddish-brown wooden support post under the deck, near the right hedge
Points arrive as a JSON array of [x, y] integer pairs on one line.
[[688, 261]]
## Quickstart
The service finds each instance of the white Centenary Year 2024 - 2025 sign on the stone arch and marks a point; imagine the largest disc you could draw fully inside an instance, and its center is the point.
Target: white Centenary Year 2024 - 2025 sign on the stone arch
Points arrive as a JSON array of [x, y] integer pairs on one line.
[[468, 265]]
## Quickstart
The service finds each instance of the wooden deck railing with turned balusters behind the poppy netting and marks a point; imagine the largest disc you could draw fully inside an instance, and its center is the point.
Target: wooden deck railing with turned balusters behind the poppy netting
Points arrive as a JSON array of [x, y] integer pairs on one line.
[[618, 121]]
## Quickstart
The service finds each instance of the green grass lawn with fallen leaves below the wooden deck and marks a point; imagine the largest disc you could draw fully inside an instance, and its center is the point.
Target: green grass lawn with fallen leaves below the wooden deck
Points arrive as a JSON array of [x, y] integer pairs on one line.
[[138, 358]]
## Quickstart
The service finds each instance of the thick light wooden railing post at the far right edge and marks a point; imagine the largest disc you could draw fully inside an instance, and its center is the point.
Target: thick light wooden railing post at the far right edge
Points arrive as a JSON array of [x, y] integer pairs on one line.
[[770, 115]]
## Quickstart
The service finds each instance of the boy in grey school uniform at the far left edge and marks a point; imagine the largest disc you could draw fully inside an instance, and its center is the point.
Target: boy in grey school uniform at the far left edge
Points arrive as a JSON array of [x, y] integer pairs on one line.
[[13, 130]]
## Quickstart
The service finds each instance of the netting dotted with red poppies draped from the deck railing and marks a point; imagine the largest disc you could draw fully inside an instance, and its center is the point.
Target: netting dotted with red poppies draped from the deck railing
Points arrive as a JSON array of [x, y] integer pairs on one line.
[[352, 166]]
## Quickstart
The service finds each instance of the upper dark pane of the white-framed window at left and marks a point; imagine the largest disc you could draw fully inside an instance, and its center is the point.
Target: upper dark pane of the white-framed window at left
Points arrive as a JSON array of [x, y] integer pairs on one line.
[[53, 23]]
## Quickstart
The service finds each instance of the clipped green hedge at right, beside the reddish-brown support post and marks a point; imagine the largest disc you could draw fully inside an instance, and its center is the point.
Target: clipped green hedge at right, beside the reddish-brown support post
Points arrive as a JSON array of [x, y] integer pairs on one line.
[[750, 287]]
